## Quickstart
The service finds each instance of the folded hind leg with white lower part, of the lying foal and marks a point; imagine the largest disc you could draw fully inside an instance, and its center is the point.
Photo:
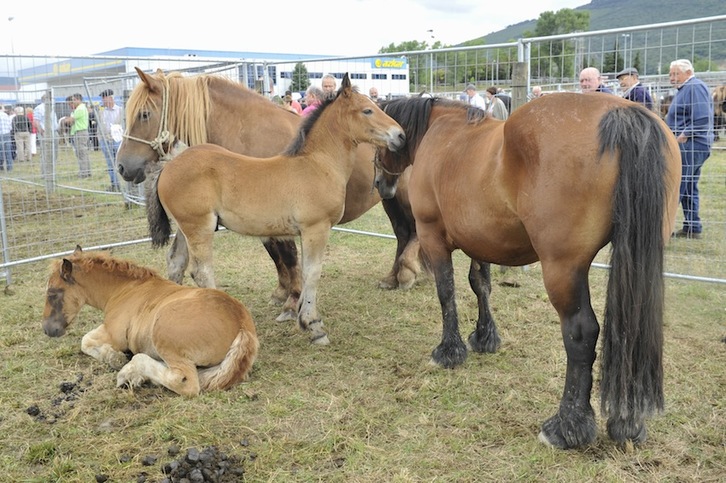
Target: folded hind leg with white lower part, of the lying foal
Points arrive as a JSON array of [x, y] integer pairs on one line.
[[179, 376]]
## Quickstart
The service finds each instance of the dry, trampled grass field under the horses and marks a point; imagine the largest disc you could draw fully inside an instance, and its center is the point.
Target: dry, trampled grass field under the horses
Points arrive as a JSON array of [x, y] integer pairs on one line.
[[369, 407]]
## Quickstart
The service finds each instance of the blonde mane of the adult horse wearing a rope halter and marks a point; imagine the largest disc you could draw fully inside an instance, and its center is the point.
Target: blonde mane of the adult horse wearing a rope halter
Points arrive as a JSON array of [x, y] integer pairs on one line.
[[189, 104]]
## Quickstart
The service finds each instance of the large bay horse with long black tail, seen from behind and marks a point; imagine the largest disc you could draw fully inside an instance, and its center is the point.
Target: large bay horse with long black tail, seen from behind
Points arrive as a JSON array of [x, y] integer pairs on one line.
[[564, 176]]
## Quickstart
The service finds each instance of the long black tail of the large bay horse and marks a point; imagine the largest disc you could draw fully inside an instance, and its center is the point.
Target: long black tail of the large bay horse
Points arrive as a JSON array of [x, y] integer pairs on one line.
[[631, 387]]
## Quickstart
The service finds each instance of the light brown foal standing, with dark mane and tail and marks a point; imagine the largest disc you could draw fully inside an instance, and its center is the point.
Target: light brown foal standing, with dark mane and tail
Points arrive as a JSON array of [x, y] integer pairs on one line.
[[300, 192]]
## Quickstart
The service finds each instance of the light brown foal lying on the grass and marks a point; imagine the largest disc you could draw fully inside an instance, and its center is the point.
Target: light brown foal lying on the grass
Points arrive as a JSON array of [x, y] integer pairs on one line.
[[186, 339]]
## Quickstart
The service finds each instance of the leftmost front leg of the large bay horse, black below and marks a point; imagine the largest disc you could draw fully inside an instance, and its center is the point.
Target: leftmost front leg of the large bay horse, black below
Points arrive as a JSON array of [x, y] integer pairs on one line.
[[451, 352]]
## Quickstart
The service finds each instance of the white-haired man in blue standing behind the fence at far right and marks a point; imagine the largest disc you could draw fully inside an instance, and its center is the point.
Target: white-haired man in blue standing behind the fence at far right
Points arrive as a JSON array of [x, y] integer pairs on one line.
[[690, 117]]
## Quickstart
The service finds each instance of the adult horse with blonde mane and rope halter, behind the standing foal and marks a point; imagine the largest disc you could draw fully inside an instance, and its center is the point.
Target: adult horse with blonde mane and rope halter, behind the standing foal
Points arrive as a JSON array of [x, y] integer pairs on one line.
[[164, 109]]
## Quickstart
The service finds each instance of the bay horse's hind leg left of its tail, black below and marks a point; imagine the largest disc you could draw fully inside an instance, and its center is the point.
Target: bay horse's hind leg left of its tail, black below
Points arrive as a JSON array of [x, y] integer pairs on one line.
[[574, 423]]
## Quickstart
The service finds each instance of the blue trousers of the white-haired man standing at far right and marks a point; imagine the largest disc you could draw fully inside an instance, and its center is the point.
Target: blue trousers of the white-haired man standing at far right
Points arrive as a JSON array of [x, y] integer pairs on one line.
[[693, 155]]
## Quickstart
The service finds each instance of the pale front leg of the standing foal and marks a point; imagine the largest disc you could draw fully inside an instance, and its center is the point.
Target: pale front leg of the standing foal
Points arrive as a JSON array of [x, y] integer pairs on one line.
[[314, 241]]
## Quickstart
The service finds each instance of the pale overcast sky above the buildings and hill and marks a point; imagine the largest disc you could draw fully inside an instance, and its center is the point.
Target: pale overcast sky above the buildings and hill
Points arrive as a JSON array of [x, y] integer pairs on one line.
[[344, 27]]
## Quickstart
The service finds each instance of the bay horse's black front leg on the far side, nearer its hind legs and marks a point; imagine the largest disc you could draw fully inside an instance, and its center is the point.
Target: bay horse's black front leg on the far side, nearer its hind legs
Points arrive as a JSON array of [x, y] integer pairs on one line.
[[485, 338]]
